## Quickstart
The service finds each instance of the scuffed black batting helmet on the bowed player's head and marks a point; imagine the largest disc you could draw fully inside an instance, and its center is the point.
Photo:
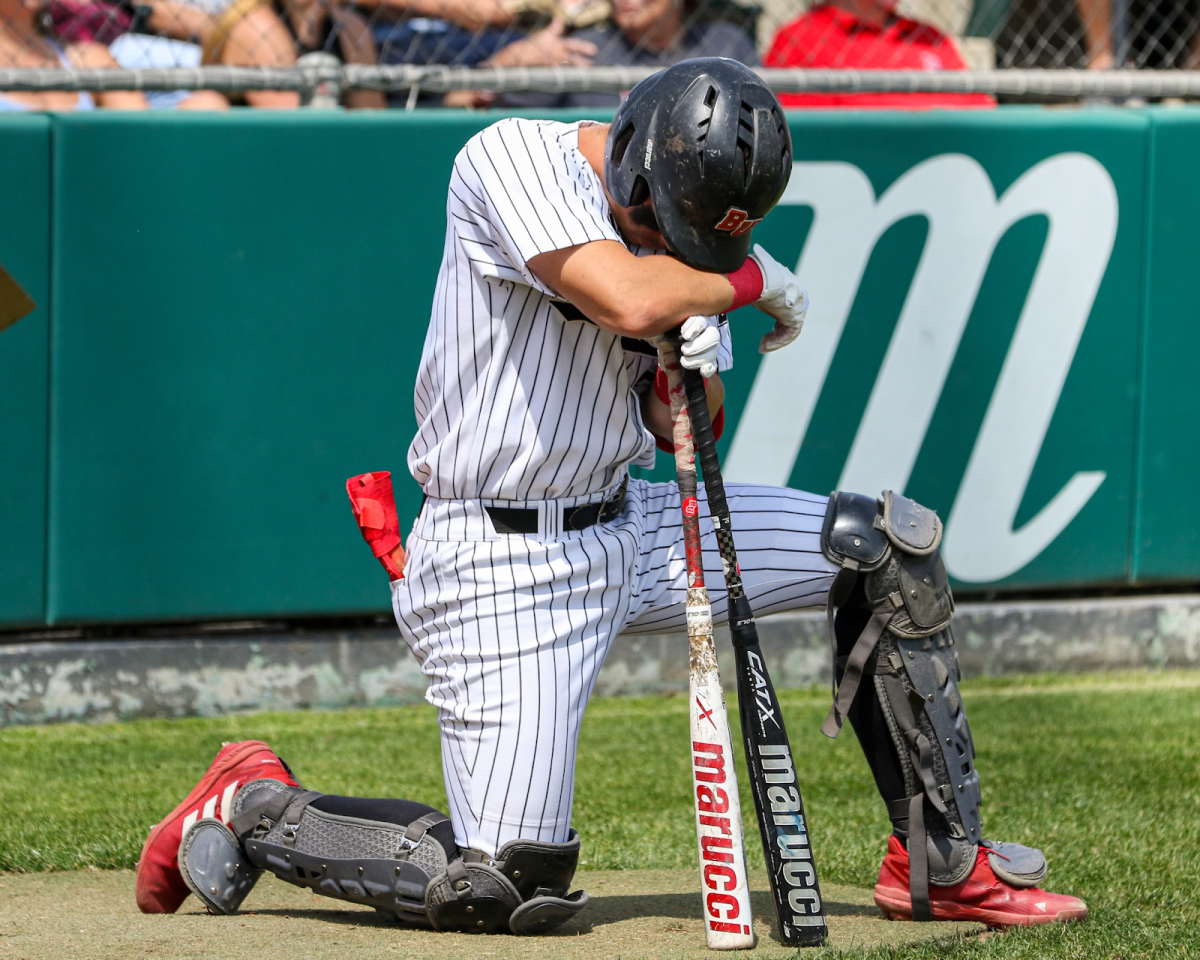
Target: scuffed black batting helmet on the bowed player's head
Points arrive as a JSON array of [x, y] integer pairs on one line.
[[707, 140]]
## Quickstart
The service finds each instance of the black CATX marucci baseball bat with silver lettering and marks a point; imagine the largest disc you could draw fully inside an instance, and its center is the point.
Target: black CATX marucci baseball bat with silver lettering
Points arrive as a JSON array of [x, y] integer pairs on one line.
[[791, 869]]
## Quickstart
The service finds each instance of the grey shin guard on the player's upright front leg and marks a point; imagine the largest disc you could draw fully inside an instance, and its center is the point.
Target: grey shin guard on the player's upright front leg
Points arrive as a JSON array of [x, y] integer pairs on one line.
[[893, 645]]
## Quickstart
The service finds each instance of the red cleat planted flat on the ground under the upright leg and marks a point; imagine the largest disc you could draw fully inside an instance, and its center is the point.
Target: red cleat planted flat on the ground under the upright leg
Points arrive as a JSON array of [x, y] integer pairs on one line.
[[982, 897]]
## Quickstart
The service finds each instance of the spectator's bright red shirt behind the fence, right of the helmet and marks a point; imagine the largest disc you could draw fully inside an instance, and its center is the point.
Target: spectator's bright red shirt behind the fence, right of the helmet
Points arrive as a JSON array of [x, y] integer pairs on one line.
[[867, 35]]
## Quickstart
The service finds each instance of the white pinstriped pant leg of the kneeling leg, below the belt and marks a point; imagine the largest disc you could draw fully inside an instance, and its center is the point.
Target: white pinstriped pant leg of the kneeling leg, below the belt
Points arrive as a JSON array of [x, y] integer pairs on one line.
[[512, 633]]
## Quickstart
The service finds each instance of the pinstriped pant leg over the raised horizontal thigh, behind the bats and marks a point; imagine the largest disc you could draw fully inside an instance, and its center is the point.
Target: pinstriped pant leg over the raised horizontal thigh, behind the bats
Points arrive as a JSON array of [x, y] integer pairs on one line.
[[778, 537]]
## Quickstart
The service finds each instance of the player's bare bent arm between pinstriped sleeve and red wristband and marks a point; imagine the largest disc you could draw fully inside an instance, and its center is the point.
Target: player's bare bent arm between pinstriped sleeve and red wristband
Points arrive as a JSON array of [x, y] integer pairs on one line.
[[638, 297]]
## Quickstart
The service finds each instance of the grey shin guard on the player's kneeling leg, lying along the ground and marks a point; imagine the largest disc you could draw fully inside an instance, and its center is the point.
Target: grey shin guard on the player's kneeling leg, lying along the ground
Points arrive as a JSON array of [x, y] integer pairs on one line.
[[406, 866]]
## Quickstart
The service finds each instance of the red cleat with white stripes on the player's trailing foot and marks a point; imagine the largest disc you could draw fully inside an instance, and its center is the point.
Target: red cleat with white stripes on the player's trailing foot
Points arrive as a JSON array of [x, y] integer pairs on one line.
[[160, 885]]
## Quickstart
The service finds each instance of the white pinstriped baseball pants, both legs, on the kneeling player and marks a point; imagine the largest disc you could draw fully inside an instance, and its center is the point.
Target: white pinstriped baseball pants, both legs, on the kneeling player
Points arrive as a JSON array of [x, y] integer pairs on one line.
[[513, 629]]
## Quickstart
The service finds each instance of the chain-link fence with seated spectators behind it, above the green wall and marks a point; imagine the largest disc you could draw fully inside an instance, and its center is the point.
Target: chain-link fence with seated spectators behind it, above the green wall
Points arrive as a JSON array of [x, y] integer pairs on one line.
[[75, 55]]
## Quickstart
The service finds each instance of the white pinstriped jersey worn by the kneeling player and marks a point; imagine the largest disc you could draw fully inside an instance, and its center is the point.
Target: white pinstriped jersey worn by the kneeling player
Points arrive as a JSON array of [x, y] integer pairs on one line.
[[519, 398]]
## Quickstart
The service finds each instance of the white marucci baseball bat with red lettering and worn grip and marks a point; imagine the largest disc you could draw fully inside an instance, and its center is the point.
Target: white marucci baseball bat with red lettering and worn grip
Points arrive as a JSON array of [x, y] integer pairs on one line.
[[719, 835]]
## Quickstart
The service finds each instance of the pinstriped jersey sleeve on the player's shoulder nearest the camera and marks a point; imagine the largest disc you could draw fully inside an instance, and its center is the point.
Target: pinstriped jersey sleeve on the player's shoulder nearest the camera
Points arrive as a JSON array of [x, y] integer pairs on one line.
[[523, 191]]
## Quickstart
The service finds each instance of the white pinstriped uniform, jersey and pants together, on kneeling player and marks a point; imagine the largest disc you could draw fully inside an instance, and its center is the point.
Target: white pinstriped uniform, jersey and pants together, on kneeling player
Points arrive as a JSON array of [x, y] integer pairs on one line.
[[523, 403]]
